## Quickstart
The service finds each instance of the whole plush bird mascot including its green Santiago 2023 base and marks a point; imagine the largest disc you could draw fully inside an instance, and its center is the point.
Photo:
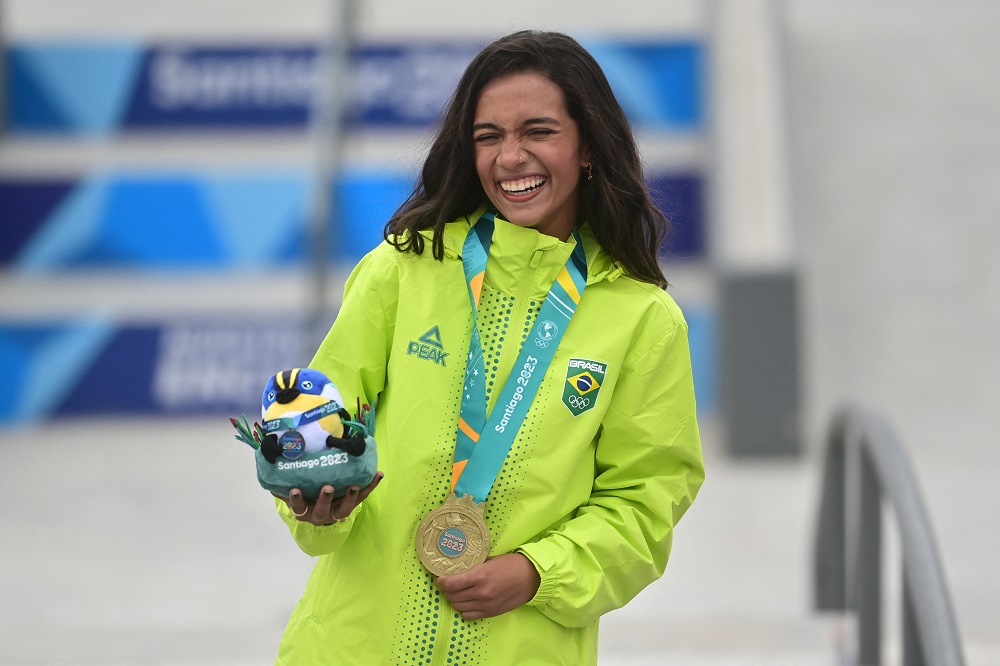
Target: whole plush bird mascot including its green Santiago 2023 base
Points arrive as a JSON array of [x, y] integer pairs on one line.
[[308, 439]]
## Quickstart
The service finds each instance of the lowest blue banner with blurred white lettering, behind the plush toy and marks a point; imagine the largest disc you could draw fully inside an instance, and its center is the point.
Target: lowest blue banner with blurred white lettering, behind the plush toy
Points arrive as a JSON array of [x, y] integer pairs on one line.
[[95, 366]]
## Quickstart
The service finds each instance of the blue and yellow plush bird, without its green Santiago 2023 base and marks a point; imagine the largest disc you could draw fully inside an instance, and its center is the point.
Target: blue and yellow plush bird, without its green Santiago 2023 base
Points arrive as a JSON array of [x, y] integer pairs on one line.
[[303, 412]]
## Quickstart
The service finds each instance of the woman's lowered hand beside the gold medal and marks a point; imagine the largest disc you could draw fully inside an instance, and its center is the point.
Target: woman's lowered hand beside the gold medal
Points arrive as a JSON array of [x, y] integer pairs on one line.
[[496, 586]]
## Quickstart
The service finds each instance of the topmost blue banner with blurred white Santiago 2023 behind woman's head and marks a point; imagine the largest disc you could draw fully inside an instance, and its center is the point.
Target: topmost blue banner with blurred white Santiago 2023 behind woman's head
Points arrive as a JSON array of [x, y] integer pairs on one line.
[[68, 88]]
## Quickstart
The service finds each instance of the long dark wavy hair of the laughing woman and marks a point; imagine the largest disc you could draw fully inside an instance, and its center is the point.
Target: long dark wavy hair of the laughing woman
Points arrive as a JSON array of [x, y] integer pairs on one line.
[[615, 203]]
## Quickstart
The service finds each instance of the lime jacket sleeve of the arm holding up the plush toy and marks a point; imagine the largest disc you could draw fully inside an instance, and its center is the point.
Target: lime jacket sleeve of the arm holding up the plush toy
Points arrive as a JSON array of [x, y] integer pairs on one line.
[[354, 356]]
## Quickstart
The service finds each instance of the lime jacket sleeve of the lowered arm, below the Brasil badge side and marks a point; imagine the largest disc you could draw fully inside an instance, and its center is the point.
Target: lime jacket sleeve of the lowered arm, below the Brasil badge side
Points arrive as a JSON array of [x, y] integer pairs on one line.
[[648, 469]]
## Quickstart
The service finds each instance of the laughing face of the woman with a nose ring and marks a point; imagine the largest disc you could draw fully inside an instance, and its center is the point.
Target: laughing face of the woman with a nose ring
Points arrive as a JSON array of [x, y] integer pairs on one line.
[[528, 153]]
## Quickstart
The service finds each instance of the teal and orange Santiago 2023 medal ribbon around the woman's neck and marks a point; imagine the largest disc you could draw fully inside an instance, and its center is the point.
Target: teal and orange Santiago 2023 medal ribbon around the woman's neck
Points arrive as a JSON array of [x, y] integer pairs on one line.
[[482, 444]]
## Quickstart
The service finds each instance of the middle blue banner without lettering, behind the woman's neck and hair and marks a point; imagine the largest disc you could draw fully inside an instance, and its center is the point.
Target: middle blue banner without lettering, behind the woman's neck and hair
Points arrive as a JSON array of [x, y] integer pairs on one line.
[[229, 221]]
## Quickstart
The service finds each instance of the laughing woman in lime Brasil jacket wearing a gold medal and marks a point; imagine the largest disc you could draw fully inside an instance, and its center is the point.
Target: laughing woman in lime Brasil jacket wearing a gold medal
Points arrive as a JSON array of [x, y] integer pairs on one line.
[[553, 393]]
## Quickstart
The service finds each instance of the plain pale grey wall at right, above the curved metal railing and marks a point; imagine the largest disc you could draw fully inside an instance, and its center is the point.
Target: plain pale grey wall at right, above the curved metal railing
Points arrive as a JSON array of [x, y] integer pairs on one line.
[[896, 163]]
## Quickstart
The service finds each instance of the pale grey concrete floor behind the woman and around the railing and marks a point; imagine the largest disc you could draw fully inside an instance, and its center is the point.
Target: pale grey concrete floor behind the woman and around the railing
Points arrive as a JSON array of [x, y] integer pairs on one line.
[[148, 542]]
